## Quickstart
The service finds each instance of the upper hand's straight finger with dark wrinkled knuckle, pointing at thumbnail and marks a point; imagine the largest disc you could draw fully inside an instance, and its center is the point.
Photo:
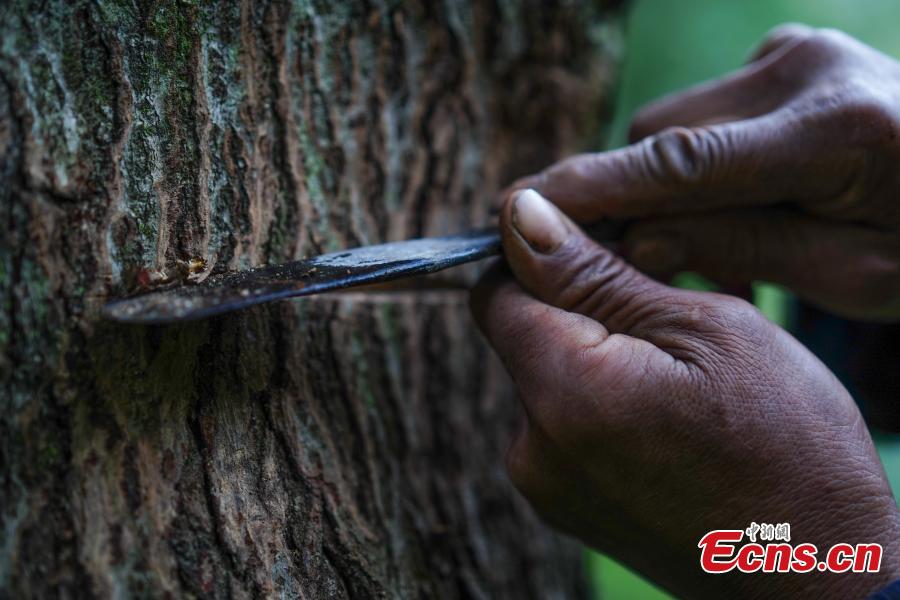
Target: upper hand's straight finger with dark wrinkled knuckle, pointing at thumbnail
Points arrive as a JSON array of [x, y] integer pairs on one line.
[[753, 162]]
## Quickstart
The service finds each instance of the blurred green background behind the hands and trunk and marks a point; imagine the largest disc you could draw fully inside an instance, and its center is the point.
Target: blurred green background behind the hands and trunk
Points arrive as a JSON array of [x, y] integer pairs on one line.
[[674, 43]]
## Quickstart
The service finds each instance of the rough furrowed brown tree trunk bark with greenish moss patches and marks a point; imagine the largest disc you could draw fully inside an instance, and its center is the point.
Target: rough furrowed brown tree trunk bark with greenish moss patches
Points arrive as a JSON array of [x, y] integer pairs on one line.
[[338, 446]]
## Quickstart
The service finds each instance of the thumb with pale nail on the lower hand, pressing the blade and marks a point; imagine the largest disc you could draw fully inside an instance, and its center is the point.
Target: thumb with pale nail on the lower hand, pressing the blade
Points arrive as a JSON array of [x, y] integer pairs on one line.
[[557, 263]]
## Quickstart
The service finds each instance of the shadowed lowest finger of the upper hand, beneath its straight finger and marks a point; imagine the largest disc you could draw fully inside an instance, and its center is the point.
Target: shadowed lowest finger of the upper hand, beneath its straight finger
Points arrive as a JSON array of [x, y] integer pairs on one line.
[[844, 269]]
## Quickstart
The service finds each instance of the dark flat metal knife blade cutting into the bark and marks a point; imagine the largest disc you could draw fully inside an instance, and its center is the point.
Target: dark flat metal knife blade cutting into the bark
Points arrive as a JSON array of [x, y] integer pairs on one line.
[[358, 266]]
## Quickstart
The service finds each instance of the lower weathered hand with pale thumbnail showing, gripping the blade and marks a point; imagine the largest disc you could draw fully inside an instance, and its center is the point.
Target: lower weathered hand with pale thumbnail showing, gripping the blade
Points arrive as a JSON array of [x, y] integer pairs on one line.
[[655, 415]]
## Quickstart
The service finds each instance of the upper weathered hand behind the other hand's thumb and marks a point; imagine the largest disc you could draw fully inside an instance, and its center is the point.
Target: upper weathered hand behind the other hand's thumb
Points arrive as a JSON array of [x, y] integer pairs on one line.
[[787, 170]]
